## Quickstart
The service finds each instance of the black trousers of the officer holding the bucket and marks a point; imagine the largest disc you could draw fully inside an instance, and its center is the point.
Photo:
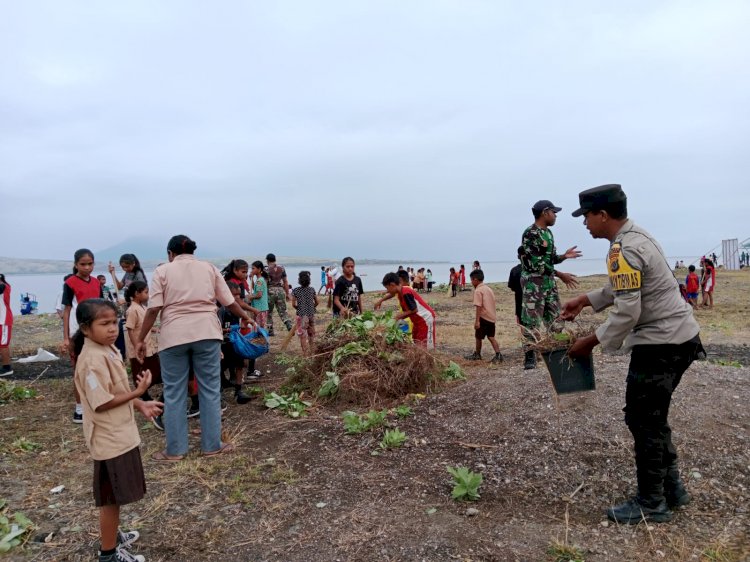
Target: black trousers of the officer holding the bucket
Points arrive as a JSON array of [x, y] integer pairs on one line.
[[654, 373]]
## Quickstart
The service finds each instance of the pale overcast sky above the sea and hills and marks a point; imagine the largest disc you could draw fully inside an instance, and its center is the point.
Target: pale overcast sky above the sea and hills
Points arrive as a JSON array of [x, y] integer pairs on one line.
[[373, 129]]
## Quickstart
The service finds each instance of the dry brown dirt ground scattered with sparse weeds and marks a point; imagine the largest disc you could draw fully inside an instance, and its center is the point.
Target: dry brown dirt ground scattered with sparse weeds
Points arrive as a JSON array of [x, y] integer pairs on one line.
[[304, 490]]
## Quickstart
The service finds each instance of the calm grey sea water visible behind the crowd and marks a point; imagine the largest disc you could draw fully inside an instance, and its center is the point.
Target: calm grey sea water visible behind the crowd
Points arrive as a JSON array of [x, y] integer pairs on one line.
[[47, 287]]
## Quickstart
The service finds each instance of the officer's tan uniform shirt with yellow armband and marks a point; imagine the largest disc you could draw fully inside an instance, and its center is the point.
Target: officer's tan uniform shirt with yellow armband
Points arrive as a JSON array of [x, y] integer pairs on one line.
[[647, 305]]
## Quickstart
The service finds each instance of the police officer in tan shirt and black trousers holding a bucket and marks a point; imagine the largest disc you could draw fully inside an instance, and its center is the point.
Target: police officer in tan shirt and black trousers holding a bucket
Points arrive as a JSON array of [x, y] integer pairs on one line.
[[651, 319]]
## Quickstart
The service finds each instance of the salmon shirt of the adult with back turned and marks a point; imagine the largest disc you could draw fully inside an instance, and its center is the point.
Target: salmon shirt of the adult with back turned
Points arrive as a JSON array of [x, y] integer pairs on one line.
[[187, 290]]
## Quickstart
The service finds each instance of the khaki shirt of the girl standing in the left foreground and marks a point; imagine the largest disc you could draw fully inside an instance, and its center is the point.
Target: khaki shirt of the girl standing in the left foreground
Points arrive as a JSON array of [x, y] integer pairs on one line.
[[100, 374]]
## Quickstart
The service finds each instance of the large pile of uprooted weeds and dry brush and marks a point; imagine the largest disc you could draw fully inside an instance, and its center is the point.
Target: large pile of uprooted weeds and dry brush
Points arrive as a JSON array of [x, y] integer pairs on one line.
[[366, 360]]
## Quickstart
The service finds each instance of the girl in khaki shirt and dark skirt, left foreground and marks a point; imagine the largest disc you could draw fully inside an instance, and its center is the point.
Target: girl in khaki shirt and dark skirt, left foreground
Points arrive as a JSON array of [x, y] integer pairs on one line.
[[109, 426]]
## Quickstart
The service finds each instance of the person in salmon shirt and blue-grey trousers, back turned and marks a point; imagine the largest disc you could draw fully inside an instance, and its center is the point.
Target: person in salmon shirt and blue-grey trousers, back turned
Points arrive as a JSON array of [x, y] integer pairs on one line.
[[185, 292]]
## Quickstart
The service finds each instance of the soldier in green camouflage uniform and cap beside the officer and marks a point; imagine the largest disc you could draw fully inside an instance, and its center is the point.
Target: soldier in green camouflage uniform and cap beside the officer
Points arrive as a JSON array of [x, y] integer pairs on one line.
[[541, 302]]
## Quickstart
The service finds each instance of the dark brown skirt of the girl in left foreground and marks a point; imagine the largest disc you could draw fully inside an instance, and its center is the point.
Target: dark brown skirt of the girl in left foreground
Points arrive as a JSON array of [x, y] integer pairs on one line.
[[120, 480]]
